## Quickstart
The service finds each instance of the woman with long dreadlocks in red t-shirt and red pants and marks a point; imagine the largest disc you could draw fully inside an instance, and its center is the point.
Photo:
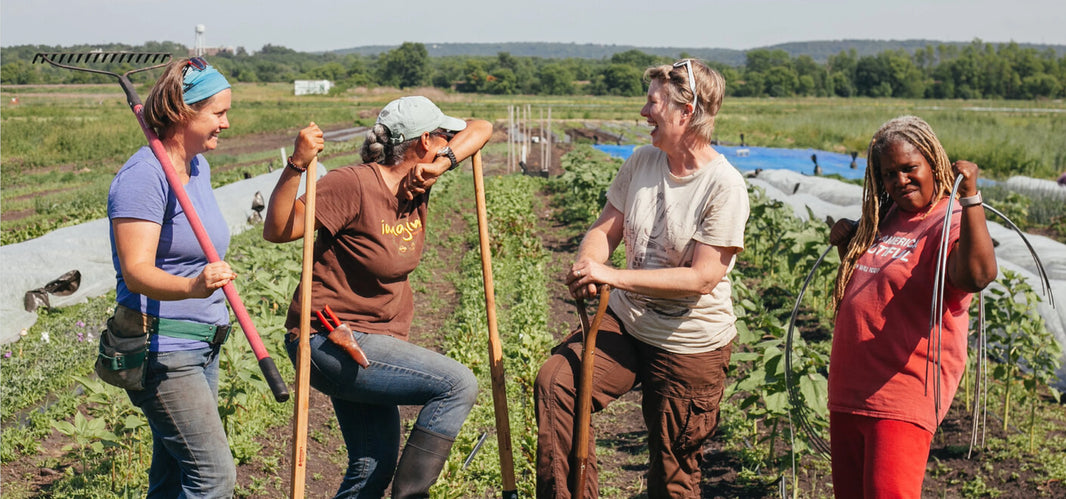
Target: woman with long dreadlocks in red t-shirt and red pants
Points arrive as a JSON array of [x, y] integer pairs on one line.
[[890, 388]]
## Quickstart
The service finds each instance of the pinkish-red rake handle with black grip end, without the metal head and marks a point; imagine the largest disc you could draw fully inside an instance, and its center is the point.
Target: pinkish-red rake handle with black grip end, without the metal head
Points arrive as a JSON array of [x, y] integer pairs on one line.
[[266, 363]]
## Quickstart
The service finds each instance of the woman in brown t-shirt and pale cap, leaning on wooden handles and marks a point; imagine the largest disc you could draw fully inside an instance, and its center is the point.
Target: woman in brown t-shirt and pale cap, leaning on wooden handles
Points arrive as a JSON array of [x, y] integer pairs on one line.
[[372, 231]]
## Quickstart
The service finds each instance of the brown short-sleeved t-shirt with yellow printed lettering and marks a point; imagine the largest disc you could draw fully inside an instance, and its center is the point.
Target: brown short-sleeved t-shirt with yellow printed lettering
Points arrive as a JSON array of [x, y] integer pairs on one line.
[[369, 243]]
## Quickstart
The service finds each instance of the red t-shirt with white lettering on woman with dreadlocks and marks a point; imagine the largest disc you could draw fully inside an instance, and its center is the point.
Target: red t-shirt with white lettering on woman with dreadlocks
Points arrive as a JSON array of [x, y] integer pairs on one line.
[[879, 363]]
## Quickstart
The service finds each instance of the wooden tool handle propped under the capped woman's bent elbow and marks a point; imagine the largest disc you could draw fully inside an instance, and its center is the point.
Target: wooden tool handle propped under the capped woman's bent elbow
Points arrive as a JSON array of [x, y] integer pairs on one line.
[[495, 348]]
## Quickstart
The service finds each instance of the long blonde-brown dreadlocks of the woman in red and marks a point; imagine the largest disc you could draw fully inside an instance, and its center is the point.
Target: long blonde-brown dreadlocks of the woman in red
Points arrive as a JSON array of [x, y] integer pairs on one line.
[[876, 200]]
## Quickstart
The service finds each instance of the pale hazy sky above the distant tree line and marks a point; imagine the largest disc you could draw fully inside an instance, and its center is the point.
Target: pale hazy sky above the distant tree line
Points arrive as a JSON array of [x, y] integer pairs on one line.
[[330, 25]]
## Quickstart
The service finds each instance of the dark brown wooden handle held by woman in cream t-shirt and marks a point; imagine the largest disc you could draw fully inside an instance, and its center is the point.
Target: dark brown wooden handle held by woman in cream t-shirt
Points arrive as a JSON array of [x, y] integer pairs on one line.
[[585, 409]]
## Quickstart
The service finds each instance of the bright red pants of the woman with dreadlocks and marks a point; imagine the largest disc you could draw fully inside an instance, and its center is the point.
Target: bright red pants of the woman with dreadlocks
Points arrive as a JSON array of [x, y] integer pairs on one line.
[[878, 458]]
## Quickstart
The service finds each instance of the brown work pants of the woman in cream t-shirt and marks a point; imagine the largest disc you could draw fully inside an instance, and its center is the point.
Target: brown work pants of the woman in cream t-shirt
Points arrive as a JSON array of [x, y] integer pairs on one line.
[[681, 407]]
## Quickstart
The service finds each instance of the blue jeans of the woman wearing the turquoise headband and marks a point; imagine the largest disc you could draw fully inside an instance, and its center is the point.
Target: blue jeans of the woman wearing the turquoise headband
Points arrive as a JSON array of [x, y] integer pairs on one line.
[[190, 457]]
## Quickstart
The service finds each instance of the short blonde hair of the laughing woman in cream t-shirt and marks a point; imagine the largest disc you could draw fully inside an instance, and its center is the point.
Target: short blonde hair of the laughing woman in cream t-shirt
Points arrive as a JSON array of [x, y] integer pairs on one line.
[[710, 90]]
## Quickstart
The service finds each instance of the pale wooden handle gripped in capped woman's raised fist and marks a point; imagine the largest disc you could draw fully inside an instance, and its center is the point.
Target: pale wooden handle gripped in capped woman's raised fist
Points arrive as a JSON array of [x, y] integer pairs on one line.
[[304, 347]]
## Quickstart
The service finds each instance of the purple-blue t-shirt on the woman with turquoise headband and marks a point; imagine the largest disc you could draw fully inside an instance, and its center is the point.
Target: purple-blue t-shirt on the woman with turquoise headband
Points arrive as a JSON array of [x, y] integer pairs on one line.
[[140, 191]]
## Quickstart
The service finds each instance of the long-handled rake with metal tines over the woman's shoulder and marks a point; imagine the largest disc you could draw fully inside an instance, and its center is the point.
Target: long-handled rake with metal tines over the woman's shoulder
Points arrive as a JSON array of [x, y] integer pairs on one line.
[[68, 61]]
